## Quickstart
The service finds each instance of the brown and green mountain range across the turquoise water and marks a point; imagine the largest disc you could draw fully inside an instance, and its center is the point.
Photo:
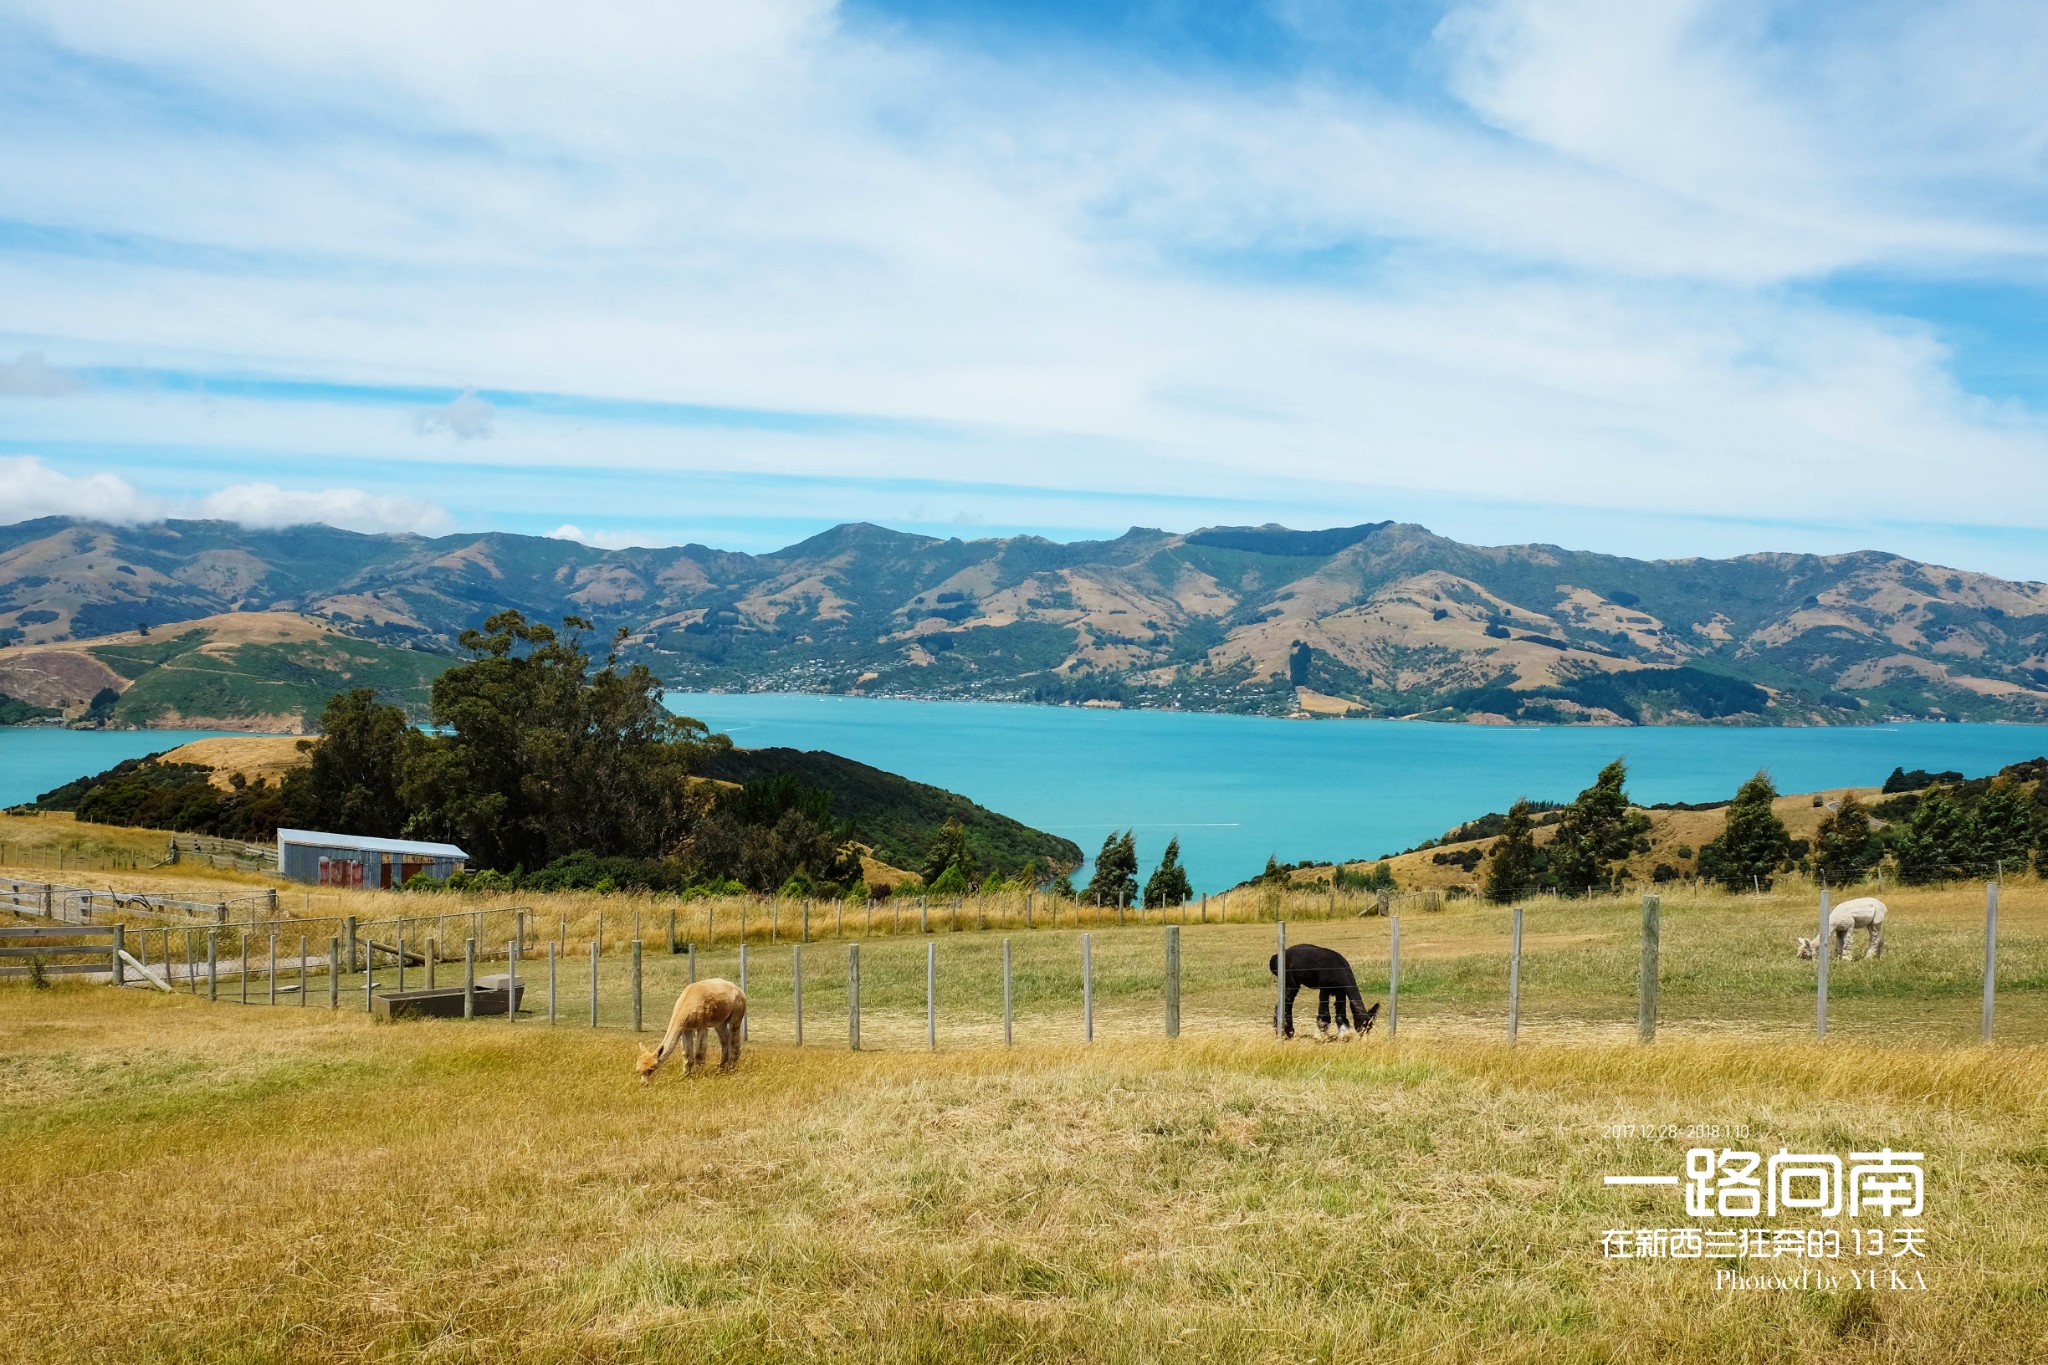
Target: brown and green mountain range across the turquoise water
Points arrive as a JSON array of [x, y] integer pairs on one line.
[[1379, 621]]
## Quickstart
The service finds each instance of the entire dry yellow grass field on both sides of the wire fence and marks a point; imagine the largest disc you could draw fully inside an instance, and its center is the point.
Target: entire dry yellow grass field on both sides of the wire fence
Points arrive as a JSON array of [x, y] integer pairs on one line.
[[196, 1180]]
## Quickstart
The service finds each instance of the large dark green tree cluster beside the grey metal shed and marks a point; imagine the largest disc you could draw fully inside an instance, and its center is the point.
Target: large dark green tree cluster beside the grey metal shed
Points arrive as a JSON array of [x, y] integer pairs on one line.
[[544, 760]]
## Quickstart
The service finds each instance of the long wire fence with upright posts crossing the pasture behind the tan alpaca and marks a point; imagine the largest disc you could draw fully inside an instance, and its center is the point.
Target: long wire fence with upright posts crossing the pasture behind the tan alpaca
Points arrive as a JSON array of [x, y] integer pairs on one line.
[[1502, 973]]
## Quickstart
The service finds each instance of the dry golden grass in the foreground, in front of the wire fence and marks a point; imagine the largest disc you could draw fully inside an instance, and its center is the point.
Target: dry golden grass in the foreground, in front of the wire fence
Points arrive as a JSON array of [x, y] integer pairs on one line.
[[196, 1182]]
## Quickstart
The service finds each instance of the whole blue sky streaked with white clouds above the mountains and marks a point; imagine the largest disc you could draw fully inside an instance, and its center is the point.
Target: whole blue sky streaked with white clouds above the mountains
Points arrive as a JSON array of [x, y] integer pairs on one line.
[[1654, 277]]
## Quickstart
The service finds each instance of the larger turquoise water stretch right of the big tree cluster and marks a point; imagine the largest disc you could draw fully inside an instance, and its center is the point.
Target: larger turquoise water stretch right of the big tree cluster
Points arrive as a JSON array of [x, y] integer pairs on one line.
[[1240, 789]]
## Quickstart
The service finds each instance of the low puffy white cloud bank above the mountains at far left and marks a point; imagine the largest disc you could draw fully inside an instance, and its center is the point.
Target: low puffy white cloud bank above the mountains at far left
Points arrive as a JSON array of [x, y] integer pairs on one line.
[[30, 488]]
